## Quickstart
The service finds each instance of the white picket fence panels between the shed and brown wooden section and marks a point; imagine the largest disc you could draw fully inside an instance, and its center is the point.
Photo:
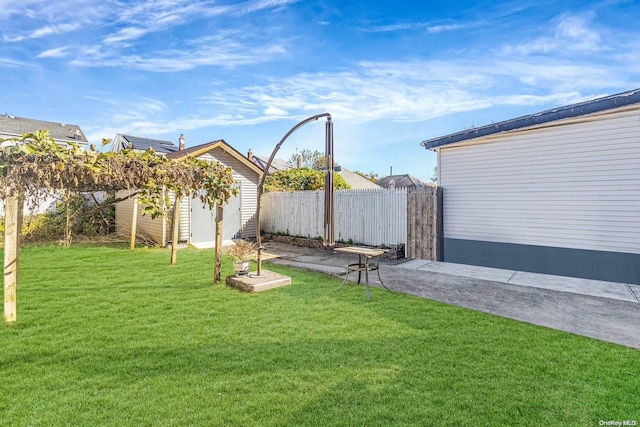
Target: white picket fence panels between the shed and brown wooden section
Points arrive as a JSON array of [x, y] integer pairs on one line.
[[368, 217]]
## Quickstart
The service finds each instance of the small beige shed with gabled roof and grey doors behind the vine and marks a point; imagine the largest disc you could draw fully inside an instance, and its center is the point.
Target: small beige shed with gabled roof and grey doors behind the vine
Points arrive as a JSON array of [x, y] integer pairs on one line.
[[197, 222]]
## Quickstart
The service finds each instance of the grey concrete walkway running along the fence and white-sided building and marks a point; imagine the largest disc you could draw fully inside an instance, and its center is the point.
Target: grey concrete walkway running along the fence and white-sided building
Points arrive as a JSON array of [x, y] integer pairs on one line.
[[606, 311]]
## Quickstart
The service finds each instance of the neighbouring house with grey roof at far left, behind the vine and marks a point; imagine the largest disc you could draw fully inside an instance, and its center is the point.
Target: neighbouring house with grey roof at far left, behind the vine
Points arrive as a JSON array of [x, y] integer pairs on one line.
[[62, 133]]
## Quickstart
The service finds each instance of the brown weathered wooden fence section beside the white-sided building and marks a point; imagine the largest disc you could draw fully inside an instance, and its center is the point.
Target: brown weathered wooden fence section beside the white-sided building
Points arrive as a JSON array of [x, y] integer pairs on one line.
[[424, 224]]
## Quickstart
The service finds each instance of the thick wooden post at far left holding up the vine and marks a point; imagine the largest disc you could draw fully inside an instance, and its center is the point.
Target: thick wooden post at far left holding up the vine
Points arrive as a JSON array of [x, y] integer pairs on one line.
[[13, 225]]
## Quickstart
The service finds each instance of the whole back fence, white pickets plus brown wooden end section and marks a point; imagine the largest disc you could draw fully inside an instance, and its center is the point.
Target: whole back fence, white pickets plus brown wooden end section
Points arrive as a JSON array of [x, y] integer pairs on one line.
[[368, 217]]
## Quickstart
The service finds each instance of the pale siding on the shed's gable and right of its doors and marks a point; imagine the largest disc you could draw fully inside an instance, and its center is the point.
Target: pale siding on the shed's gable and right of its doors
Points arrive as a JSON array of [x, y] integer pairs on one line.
[[249, 195]]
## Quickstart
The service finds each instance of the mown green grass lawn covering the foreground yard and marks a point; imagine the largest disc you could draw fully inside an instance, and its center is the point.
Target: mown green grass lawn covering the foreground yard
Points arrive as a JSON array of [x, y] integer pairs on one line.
[[110, 337]]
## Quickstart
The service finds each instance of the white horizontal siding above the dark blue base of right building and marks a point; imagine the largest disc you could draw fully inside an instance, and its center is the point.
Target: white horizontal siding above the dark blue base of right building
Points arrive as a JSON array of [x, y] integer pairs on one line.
[[574, 185]]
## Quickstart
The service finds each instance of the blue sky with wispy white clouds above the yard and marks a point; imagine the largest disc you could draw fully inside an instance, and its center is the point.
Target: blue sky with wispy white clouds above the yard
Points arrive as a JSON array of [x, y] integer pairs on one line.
[[391, 73]]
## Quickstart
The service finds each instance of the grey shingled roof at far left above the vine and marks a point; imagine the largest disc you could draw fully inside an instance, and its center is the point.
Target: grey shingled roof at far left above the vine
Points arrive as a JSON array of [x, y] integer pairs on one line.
[[11, 126]]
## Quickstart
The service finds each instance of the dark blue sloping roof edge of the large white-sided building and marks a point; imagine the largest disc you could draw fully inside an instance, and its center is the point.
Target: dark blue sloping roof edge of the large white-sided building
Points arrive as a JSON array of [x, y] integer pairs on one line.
[[556, 114]]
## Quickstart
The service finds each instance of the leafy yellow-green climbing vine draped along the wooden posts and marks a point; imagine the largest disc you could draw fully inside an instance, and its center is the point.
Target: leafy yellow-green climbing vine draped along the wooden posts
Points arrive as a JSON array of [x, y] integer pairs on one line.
[[34, 165]]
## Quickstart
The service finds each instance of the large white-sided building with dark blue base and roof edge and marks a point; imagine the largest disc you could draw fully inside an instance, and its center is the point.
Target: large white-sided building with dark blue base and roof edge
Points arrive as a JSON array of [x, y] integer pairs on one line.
[[556, 192]]
